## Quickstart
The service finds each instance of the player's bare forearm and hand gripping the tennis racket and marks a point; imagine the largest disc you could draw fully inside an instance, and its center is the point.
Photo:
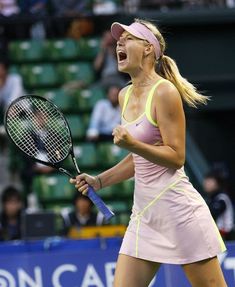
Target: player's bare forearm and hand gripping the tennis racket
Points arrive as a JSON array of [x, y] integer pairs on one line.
[[121, 171]]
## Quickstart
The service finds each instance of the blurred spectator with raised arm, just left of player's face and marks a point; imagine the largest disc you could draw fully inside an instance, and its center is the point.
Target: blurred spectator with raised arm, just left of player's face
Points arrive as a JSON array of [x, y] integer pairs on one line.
[[105, 63]]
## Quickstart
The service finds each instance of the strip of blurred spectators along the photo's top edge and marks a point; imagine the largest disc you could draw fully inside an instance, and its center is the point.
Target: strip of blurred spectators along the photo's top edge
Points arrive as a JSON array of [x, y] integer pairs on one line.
[[74, 8]]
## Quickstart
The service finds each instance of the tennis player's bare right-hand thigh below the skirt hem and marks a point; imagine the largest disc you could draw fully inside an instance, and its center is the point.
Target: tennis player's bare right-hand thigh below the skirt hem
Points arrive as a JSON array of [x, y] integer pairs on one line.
[[206, 273]]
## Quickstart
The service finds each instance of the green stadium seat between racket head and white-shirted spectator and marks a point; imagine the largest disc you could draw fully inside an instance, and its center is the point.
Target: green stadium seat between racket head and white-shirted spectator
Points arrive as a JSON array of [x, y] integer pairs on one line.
[[77, 126]]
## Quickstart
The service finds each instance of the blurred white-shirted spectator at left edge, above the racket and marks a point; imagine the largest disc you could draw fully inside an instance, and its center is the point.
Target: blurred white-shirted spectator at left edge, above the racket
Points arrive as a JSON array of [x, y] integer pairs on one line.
[[11, 85]]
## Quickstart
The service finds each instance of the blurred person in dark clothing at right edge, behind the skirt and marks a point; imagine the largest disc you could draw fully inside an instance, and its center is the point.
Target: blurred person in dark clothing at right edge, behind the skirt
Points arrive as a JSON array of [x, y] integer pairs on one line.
[[219, 204]]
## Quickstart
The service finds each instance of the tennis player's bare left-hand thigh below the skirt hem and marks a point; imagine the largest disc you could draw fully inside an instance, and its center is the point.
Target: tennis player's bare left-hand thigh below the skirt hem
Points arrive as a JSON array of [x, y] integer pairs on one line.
[[134, 272]]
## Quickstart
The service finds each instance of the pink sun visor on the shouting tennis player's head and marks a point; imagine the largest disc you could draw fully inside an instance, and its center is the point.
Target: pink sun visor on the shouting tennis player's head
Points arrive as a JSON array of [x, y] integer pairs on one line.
[[139, 31]]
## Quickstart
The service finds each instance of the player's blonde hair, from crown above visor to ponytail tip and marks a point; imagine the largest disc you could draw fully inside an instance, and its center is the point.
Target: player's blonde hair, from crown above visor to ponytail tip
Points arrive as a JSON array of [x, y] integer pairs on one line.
[[167, 68]]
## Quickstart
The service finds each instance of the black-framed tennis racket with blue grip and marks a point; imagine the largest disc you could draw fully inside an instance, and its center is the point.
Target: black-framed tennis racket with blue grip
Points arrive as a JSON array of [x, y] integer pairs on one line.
[[38, 128]]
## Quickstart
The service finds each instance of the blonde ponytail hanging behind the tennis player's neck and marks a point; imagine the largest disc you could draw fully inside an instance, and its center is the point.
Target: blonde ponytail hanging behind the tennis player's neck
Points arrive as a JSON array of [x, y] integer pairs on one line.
[[168, 69]]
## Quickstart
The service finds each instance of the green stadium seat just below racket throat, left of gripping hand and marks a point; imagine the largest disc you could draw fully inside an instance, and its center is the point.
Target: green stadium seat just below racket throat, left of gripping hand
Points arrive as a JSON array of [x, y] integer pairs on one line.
[[53, 187]]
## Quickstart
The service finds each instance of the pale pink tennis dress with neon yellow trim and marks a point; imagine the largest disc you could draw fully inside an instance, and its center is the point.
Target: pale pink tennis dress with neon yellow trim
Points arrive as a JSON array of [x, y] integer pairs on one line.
[[170, 221]]
